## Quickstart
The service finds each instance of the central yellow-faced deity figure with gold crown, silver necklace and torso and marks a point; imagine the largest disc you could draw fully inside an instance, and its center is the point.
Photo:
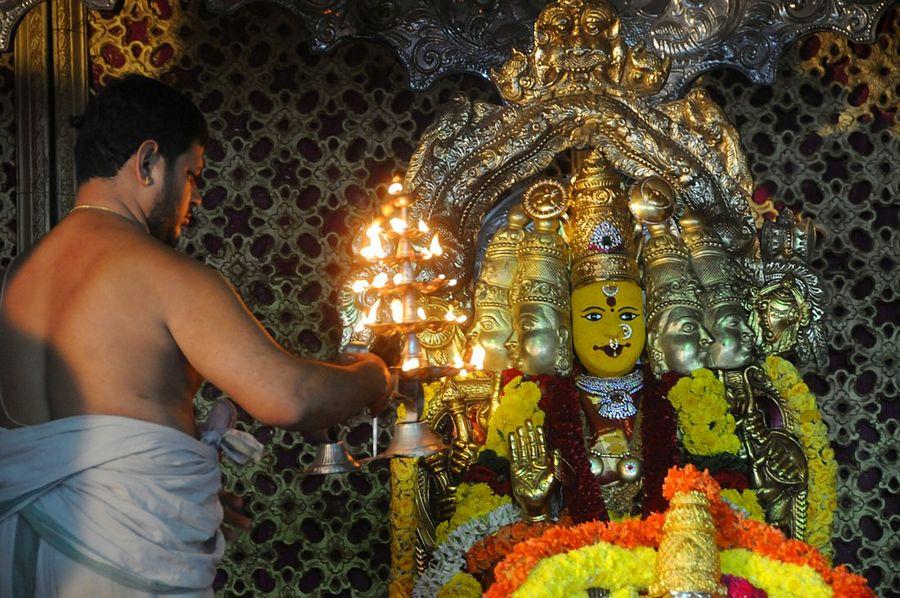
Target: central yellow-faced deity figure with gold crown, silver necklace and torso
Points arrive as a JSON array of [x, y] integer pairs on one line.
[[608, 327]]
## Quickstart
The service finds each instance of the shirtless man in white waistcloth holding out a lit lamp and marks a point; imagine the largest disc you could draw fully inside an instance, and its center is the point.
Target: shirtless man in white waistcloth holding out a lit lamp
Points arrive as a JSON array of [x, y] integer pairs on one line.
[[104, 318]]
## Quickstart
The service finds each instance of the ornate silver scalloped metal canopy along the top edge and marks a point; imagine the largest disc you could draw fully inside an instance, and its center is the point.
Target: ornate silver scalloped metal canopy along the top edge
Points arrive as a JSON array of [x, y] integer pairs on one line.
[[433, 38]]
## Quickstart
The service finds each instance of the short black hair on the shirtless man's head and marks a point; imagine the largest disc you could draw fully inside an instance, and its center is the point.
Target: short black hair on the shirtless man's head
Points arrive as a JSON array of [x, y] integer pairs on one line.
[[127, 112]]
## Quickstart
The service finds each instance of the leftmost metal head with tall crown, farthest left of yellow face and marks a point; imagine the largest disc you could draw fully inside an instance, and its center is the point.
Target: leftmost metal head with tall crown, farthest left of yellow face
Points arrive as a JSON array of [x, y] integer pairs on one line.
[[492, 328]]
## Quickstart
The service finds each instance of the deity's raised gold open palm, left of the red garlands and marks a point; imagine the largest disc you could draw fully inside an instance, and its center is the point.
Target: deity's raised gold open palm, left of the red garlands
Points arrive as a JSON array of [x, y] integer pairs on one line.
[[533, 471]]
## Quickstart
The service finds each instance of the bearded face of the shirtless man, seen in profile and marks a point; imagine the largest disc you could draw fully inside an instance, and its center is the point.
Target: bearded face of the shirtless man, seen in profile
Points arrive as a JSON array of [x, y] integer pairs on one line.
[[172, 210]]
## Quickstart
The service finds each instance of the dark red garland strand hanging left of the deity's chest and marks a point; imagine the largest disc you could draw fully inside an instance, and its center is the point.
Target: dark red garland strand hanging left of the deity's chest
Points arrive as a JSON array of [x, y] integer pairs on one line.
[[562, 422]]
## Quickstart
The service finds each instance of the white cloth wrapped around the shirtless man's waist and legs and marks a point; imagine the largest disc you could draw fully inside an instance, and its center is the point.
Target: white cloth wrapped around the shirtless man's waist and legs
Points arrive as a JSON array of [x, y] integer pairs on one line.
[[133, 501]]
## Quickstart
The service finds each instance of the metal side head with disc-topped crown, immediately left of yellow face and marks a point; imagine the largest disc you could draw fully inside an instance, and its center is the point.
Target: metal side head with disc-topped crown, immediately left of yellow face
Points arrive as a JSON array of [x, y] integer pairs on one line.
[[540, 295]]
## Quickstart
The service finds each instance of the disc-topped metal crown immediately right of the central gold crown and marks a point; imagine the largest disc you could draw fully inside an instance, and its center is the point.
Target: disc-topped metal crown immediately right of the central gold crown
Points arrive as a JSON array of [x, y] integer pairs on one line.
[[668, 279]]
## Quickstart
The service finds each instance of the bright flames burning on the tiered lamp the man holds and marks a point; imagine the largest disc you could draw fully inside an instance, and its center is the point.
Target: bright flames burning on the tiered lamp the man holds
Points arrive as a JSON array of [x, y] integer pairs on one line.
[[403, 310]]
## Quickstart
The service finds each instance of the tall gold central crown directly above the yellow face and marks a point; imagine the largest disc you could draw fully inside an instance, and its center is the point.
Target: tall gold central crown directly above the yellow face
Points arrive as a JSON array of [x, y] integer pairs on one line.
[[602, 227]]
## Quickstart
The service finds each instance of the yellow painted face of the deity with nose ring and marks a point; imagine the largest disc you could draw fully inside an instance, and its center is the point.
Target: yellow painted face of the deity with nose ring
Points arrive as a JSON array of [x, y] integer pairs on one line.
[[608, 327]]
